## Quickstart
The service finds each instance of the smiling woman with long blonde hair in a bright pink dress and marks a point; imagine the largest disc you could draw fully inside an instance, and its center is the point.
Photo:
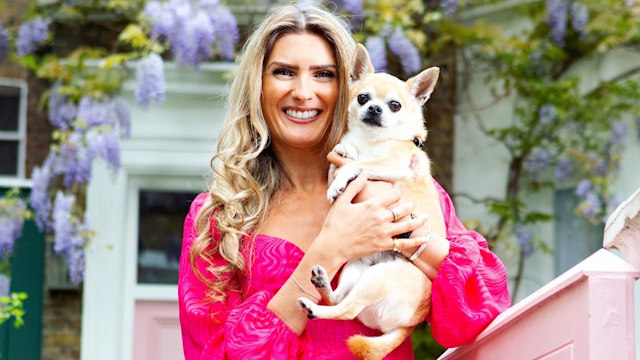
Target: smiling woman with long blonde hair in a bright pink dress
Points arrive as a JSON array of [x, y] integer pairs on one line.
[[239, 277]]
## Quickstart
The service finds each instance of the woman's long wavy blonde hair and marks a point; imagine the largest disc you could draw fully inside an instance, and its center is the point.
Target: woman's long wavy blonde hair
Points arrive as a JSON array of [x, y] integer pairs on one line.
[[246, 171]]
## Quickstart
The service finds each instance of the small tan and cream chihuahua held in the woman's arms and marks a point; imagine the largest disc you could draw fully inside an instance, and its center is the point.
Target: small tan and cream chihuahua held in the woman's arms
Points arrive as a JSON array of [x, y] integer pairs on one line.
[[385, 134]]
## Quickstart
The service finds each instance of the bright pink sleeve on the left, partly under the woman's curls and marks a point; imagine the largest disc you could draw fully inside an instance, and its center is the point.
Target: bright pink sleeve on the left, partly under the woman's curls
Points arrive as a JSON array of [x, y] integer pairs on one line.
[[234, 329]]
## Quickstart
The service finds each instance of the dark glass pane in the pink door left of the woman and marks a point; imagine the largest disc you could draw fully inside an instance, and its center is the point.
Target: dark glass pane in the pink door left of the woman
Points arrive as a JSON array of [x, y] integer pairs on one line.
[[161, 216]]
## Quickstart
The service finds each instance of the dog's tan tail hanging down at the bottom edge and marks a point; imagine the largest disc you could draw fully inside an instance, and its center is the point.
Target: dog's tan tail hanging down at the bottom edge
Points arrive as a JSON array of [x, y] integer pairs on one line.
[[375, 348]]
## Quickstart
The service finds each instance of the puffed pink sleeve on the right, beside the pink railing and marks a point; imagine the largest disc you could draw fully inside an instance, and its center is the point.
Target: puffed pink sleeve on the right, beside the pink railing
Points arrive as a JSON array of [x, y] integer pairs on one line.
[[470, 289]]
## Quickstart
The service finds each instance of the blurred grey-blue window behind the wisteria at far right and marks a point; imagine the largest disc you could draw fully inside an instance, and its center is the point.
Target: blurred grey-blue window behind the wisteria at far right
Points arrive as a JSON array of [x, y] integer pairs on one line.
[[575, 237]]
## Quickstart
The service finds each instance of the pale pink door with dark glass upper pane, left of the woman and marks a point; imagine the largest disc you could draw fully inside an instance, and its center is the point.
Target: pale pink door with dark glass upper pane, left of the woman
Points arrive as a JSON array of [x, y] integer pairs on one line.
[[156, 324]]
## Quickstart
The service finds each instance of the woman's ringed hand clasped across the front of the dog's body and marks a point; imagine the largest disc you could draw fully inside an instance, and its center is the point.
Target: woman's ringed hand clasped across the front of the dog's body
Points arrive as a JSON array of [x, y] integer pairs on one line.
[[356, 229]]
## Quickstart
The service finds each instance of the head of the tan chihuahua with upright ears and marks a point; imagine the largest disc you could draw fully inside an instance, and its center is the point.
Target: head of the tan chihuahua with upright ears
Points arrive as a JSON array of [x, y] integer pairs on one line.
[[382, 101]]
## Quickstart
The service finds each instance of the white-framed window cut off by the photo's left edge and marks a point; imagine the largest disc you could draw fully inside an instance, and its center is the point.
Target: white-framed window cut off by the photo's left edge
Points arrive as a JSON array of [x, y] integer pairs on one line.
[[13, 100]]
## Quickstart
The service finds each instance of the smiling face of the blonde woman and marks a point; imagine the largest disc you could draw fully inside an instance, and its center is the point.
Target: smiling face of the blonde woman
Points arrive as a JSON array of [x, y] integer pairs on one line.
[[299, 91]]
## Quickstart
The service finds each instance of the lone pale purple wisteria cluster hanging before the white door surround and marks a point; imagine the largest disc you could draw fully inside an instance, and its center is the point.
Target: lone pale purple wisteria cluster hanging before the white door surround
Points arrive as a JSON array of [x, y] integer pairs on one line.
[[150, 80]]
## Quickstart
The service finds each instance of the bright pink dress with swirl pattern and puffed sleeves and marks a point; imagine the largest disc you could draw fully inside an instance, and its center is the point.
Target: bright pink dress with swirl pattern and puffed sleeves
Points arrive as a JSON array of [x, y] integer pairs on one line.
[[469, 291]]
